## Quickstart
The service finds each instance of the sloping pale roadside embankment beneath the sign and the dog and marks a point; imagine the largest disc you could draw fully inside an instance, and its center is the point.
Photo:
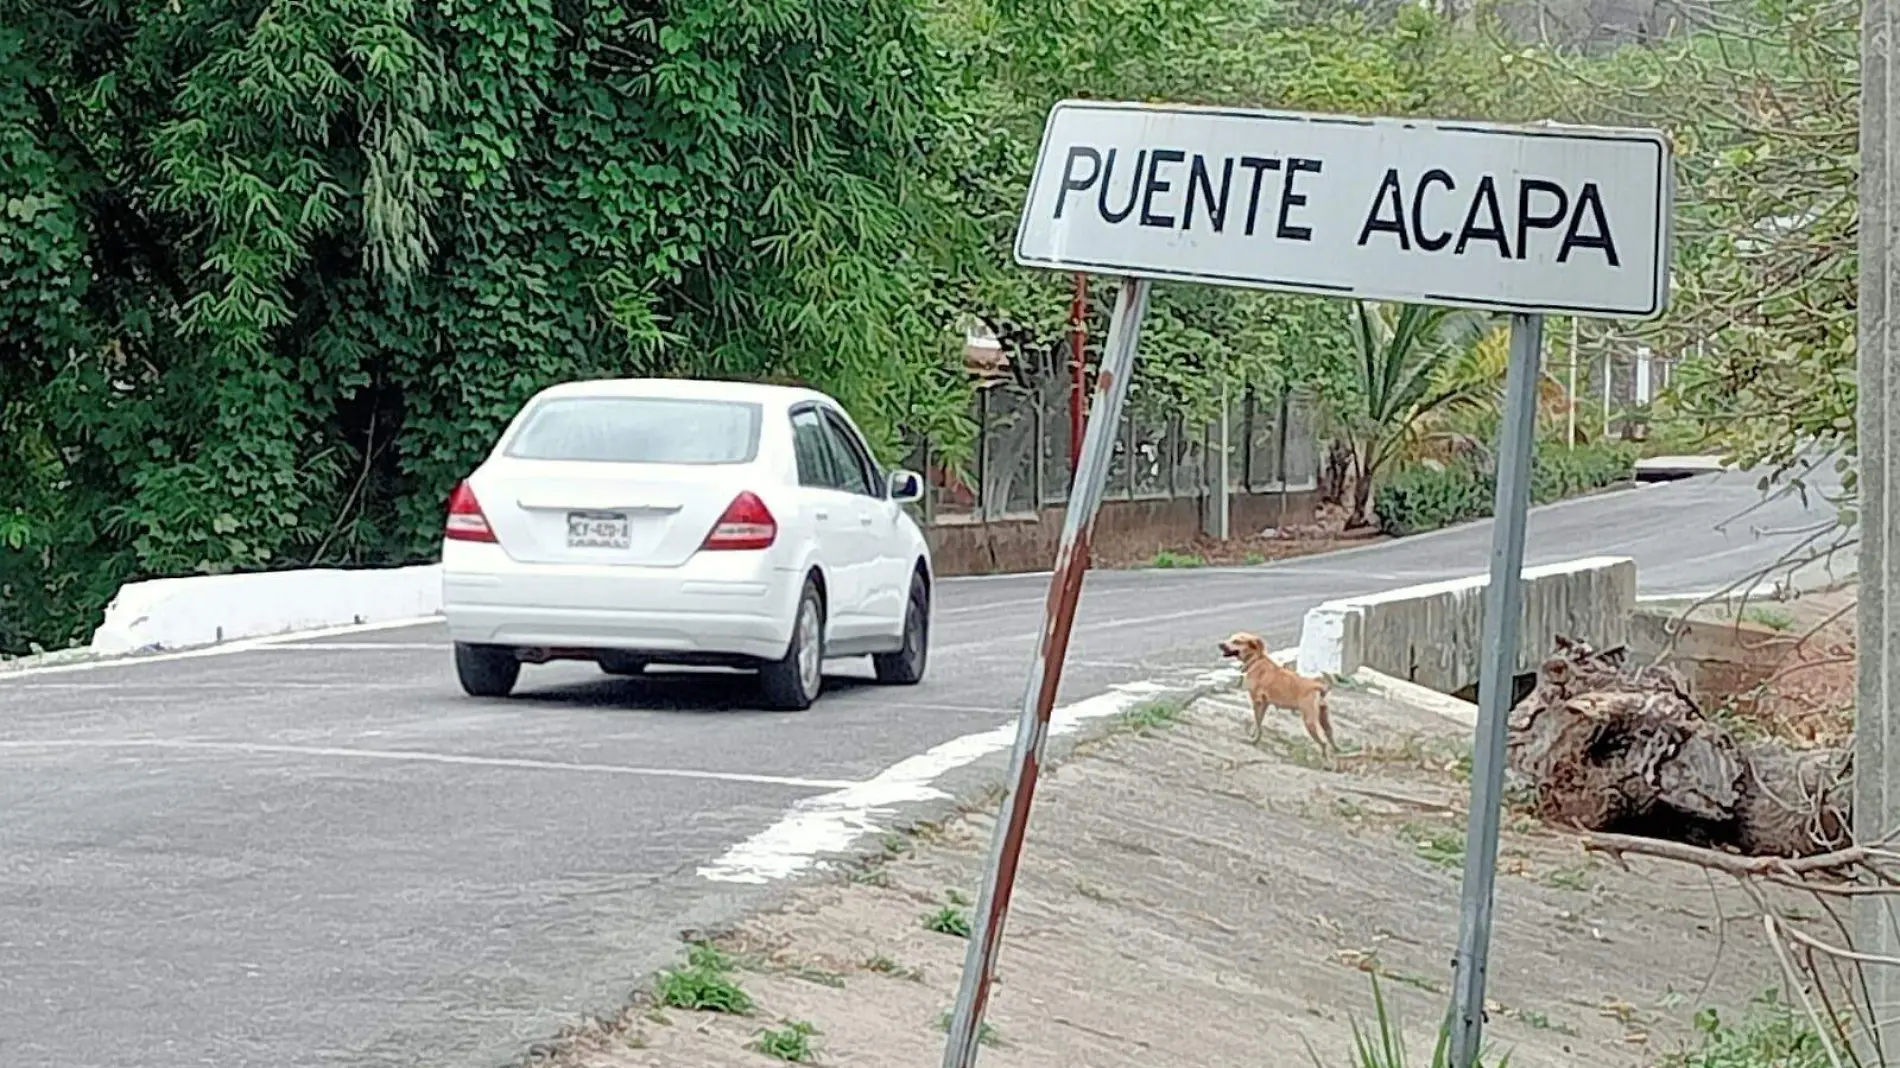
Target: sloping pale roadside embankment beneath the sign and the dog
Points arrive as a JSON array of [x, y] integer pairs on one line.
[[1192, 900]]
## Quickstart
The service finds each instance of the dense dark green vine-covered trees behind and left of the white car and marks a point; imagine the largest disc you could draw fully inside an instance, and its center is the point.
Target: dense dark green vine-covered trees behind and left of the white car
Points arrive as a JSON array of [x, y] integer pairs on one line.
[[278, 273]]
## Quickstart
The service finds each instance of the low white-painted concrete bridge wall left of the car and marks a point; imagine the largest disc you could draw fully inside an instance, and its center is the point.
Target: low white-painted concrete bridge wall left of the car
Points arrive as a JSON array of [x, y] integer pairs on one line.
[[199, 611]]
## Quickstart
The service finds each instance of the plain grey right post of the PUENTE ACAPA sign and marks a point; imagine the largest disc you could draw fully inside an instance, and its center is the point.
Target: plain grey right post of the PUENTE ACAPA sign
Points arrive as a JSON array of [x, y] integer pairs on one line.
[[1504, 600]]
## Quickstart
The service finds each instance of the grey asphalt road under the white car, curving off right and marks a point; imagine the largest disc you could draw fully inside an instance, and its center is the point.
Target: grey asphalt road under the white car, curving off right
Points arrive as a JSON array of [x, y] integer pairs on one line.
[[322, 854]]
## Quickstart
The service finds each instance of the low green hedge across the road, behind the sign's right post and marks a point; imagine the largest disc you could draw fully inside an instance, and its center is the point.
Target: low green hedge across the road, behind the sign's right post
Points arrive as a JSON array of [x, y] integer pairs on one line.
[[1428, 497]]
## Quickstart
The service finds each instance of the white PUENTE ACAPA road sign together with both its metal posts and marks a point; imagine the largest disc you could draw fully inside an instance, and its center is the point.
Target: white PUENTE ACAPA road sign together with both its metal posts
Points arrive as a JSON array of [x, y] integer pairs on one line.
[[1513, 219]]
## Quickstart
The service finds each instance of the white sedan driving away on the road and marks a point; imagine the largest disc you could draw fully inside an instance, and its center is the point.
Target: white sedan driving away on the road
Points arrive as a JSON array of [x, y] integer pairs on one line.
[[691, 524]]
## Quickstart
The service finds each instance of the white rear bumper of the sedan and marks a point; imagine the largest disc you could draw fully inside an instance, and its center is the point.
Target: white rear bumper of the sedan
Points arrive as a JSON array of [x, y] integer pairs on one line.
[[719, 605]]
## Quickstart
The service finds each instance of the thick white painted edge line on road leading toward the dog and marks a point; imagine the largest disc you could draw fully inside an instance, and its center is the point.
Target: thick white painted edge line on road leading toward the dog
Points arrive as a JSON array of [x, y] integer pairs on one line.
[[831, 824]]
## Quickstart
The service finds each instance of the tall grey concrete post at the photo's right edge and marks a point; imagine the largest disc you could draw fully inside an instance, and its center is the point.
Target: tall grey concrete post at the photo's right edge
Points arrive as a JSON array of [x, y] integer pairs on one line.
[[1878, 725]]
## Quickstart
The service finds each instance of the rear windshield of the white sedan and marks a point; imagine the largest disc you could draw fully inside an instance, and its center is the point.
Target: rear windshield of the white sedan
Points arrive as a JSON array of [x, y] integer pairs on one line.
[[639, 430]]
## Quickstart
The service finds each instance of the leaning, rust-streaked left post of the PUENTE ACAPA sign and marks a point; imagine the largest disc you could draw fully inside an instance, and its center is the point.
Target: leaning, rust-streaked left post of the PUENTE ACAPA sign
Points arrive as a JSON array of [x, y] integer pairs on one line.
[[1046, 672]]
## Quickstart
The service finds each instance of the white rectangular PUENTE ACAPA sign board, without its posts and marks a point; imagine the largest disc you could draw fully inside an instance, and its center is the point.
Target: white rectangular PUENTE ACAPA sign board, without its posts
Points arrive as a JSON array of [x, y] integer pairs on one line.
[[1532, 219]]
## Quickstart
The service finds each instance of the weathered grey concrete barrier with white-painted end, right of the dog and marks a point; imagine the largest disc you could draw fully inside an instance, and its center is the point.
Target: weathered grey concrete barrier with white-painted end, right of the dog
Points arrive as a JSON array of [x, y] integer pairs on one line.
[[1434, 634]]
